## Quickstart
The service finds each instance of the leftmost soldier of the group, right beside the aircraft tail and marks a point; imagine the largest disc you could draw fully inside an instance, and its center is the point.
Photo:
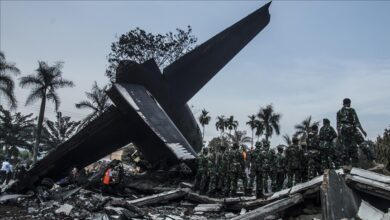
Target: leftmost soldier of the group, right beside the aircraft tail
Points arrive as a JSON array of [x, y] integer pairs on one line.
[[202, 173]]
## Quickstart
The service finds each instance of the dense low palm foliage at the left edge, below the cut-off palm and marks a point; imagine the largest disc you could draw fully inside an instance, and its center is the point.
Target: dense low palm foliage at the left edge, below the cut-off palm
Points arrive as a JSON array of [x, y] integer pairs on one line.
[[17, 131]]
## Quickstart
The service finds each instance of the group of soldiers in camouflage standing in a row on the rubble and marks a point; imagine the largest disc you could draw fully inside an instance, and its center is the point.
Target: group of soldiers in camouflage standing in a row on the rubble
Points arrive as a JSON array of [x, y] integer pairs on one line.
[[220, 169]]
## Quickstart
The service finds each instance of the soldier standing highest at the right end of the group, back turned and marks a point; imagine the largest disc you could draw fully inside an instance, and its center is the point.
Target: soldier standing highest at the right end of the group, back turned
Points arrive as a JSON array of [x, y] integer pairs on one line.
[[347, 128]]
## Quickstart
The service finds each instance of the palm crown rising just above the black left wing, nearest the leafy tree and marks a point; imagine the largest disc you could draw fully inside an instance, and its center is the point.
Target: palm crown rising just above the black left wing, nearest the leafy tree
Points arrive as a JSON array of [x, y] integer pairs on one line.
[[98, 102]]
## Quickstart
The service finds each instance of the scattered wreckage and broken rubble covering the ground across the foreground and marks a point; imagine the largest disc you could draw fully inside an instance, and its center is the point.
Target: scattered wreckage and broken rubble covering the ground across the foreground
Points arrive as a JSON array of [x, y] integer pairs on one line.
[[358, 194]]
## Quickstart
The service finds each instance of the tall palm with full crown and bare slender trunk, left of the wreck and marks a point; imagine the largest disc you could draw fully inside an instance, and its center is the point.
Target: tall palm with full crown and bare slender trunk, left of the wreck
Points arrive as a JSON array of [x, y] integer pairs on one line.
[[44, 85]]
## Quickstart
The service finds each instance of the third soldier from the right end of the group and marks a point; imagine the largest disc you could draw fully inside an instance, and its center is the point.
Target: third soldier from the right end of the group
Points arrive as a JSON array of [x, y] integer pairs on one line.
[[313, 154]]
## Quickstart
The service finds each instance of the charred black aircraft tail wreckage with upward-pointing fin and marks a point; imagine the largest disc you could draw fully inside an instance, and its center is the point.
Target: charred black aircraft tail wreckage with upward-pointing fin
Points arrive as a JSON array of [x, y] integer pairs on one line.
[[150, 108]]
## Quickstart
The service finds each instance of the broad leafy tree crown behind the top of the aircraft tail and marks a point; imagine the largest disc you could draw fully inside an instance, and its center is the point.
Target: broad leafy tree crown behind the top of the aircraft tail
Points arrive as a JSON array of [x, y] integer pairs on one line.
[[139, 46]]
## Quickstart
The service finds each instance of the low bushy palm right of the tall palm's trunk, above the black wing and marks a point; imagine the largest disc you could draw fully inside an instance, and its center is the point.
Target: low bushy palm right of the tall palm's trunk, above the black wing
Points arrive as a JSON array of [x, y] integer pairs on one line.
[[59, 131]]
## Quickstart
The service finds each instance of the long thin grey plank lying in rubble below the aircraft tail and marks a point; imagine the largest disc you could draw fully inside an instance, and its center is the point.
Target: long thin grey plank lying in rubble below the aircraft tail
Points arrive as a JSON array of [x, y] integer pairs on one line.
[[161, 197]]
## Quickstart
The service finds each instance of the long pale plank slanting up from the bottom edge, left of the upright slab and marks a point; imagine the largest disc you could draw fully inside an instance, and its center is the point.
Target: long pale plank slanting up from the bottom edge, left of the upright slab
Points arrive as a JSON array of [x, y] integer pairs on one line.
[[272, 208]]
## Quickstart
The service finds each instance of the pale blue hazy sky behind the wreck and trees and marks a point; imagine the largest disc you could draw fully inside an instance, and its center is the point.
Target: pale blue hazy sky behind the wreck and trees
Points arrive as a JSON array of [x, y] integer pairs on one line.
[[305, 62]]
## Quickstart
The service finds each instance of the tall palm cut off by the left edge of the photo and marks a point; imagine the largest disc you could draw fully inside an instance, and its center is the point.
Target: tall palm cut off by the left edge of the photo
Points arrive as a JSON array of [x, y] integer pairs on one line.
[[6, 83]]
